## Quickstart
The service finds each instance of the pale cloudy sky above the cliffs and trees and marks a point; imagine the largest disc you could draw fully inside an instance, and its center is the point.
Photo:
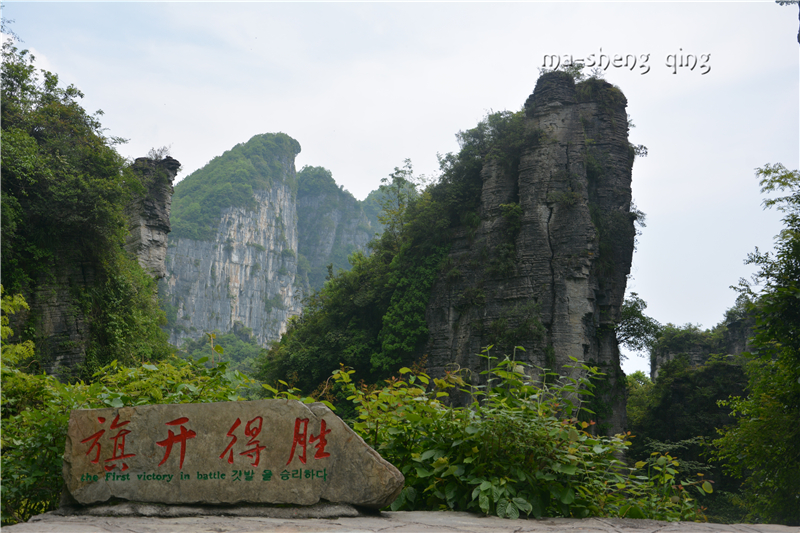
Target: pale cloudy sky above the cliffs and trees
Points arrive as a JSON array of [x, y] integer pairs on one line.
[[714, 94]]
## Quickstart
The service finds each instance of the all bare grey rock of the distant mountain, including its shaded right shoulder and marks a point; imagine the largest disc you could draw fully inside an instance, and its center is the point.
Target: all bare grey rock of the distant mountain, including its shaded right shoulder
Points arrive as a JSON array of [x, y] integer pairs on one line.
[[251, 272]]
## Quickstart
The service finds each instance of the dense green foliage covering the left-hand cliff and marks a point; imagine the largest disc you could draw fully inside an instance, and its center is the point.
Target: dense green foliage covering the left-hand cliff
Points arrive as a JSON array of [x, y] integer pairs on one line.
[[64, 191]]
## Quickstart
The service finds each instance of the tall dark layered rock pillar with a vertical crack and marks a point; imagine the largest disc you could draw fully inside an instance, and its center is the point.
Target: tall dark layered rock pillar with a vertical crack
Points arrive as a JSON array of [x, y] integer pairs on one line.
[[547, 265]]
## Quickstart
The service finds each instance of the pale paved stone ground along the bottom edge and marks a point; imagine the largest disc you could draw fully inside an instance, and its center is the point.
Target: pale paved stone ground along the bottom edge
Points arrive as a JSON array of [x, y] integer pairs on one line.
[[400, 522]]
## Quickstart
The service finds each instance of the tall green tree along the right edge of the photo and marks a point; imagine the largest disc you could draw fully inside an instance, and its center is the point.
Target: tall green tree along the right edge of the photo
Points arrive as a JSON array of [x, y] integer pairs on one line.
[[763, 448]]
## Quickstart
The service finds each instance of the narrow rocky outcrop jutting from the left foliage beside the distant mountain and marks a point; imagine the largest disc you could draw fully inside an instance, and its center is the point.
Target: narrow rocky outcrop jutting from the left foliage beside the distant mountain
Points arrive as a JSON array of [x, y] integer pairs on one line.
[[148, 215]]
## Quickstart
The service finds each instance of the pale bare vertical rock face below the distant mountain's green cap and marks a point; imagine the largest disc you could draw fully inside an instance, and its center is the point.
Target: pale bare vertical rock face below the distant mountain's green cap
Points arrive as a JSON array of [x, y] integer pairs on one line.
[[246, 274]]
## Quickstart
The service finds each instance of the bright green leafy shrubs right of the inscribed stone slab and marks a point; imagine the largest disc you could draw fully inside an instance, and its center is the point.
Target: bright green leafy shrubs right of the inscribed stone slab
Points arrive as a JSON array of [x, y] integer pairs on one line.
[[518, 448]]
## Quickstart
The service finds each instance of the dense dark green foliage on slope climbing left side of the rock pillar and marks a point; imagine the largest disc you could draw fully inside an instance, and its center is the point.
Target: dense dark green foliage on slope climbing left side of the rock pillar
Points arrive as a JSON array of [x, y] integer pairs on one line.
[[372, 318]]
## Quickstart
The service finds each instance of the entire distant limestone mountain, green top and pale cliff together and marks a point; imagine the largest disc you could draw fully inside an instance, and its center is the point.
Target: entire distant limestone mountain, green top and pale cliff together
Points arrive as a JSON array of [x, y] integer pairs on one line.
[[253, 262]]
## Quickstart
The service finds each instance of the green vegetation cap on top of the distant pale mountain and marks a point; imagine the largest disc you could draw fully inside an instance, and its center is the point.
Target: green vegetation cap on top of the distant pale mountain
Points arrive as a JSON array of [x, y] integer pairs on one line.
[[229, 180]]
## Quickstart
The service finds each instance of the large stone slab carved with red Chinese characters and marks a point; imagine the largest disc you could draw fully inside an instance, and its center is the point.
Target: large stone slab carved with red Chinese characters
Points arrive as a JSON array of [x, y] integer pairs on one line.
[[267, 451]]
